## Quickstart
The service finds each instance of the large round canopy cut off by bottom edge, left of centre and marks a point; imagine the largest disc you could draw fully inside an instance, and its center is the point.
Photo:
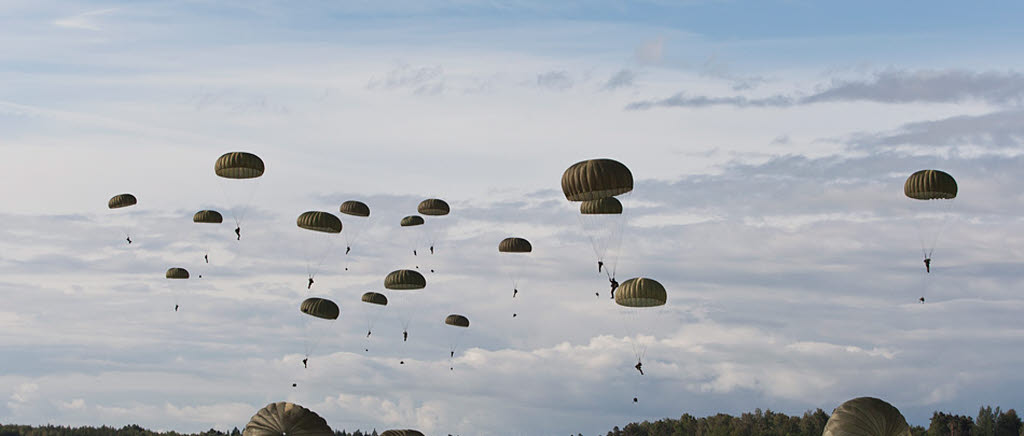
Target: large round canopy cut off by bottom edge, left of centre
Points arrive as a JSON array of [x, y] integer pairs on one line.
[[285, 419]]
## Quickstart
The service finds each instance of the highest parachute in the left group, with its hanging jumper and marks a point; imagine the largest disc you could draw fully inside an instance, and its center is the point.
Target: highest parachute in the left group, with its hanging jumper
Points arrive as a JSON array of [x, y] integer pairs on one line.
[[235, 169]]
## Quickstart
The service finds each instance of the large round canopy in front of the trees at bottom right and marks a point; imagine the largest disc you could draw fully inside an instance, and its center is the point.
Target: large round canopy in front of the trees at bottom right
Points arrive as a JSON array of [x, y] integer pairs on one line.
[[867, 417]]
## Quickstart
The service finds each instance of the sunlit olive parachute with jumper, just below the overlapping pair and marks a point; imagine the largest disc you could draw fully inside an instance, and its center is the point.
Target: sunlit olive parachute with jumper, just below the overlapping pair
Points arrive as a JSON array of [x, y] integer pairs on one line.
[[637, 296]]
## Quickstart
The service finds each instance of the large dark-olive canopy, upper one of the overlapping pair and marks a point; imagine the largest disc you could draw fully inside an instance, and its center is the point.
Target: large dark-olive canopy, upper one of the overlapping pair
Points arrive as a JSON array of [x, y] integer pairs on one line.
[[595, 180]]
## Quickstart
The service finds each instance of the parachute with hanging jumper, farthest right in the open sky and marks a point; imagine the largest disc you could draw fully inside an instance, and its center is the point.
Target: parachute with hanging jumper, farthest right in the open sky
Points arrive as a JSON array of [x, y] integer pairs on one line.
[[936, 191]]
